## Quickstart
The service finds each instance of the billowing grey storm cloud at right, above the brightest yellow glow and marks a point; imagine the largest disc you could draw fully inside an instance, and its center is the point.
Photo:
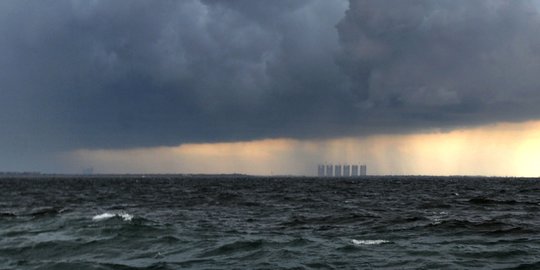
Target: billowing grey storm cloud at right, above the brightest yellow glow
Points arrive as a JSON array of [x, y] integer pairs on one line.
[[448, 62]]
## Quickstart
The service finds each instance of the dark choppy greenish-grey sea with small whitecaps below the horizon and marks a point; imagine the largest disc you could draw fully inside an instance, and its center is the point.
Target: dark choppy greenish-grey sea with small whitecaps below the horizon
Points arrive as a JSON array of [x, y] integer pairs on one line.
[[269, 223]]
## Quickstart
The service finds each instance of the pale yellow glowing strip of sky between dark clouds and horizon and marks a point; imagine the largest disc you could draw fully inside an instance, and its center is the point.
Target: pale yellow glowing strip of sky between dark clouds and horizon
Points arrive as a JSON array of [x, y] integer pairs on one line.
[[509, 149]]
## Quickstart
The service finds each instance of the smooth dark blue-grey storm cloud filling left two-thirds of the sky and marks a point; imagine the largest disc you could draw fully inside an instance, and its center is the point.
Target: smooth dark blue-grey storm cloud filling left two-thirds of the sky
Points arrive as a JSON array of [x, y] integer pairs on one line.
[[140, 73]]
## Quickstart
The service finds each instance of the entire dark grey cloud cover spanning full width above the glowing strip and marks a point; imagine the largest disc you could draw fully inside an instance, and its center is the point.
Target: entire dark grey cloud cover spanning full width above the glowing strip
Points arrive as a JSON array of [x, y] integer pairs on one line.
[[120, 75]]
